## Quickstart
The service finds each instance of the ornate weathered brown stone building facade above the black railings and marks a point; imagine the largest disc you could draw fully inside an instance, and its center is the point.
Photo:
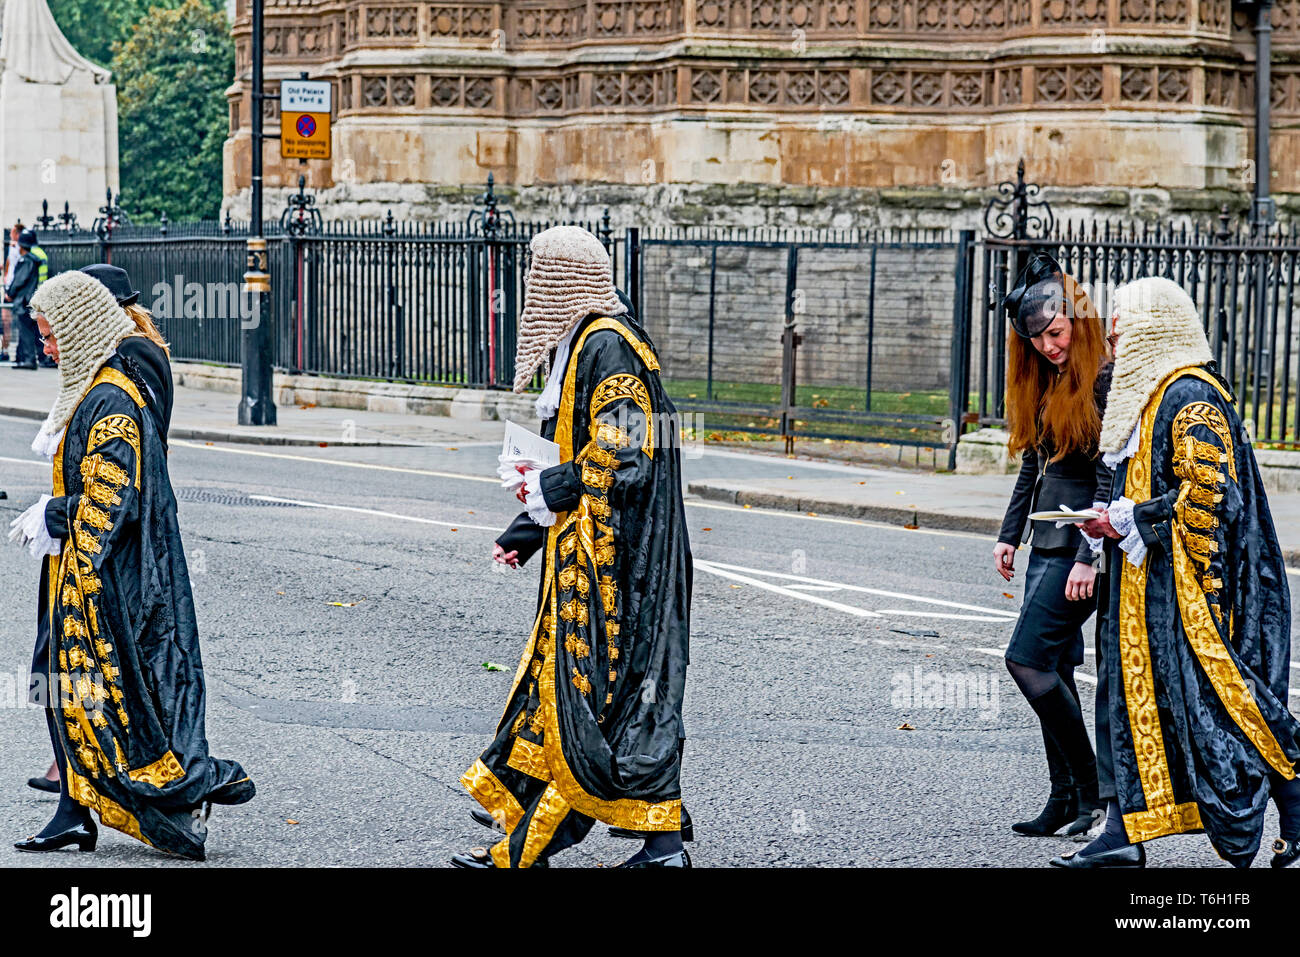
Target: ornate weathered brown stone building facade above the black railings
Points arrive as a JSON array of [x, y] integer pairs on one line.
[[775, 112]]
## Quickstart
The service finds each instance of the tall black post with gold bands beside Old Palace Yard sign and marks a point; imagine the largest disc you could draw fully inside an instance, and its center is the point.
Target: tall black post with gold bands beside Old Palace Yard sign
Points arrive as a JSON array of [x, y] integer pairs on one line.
[[257, 402]]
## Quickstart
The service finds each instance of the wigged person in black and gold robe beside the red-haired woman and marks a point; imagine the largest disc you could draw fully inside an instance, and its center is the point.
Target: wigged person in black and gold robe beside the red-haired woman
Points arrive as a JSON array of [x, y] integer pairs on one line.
[[1197, 643]]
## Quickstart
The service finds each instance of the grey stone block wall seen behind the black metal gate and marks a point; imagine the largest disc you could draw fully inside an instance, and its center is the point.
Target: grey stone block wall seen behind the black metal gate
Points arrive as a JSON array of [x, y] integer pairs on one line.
[[912, 317]]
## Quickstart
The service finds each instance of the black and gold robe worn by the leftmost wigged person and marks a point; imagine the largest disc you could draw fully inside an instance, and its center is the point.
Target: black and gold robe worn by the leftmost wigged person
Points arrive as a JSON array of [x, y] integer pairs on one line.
[[127, 677]]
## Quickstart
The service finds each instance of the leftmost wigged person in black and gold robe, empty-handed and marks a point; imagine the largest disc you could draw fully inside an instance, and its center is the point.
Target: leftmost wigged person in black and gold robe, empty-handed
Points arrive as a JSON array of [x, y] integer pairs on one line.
[[120, 660]]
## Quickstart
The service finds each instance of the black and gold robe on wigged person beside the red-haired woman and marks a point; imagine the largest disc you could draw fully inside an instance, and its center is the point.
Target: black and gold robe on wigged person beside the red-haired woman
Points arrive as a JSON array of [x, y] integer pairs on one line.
[[1198, 642]]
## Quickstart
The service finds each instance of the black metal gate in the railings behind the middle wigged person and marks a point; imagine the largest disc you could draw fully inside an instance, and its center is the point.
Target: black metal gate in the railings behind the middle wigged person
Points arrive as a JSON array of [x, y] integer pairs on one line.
[[814, 336]]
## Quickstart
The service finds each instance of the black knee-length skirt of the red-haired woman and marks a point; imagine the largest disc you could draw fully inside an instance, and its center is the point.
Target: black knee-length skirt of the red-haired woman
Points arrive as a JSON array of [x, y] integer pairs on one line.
[[1050, 631]]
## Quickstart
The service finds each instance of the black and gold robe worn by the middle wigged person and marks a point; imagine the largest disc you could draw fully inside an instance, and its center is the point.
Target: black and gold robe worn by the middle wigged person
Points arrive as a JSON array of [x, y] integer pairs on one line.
[[593, 728]]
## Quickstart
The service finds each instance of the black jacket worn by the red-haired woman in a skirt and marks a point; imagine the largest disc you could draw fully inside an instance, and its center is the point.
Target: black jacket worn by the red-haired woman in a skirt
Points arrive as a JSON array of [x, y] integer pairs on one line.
[[1076, 480]]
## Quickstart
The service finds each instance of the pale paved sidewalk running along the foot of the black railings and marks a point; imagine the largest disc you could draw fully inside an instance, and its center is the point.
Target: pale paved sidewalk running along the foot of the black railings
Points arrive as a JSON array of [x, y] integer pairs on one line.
[[904, 497]]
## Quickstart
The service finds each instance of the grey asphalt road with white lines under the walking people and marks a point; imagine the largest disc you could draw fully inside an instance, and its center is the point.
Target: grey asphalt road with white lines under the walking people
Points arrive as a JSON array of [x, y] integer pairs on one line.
[[346, 626]]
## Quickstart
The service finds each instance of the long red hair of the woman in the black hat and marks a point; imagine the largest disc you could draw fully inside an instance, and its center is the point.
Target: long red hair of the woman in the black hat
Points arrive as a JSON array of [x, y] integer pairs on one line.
[[1046, 408]]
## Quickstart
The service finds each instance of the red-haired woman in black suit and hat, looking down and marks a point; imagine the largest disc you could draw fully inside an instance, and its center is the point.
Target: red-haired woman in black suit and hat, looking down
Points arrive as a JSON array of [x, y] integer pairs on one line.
[[1058, 380]]
